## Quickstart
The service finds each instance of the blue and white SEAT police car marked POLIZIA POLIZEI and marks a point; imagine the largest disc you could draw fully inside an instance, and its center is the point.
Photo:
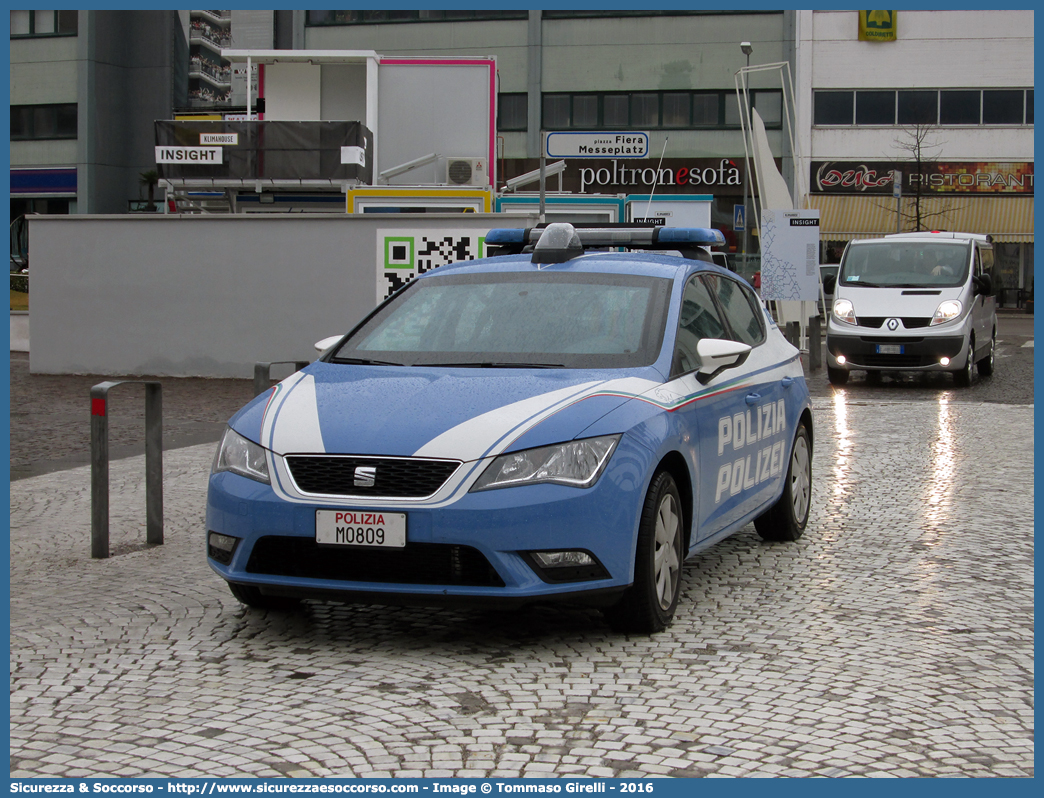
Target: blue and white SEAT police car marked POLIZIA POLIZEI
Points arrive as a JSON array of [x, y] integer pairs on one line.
[[570, 421]]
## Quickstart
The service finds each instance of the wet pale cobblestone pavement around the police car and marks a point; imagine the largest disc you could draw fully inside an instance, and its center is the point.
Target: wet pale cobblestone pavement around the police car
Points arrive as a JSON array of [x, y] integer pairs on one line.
[[895, 639]]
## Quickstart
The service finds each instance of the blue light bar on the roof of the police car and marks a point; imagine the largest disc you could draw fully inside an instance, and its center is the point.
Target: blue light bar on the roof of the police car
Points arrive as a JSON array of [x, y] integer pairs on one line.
[[563, 237]]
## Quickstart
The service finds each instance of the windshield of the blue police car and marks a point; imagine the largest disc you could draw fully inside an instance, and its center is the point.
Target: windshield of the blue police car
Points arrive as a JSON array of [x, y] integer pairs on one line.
[[540, 320]]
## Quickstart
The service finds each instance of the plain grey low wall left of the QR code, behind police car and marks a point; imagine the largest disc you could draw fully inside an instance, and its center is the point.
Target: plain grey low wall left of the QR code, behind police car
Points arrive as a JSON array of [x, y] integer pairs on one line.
[[205, 295]]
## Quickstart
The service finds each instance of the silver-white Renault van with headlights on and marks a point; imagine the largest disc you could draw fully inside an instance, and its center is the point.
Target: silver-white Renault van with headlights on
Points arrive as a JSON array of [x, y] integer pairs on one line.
[[914, 302]]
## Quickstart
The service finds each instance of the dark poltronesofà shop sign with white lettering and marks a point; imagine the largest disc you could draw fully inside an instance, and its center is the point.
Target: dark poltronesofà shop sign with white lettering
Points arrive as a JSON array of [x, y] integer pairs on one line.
[[673, 176]]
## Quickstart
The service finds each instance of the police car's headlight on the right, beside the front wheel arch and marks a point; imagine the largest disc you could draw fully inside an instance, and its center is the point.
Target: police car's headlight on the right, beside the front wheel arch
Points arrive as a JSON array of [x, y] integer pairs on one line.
[[578, 464]]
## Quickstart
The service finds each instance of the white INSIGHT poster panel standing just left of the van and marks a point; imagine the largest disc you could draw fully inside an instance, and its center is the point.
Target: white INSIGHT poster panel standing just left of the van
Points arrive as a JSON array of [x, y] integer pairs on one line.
[[790, 255]]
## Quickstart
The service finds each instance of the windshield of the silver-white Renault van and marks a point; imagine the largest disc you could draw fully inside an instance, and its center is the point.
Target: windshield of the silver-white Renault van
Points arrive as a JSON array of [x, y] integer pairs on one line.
[[909, 264]]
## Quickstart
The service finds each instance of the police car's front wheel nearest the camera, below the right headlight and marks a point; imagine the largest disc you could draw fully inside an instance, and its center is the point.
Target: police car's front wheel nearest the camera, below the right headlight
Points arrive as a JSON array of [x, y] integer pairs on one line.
[[649, 605]]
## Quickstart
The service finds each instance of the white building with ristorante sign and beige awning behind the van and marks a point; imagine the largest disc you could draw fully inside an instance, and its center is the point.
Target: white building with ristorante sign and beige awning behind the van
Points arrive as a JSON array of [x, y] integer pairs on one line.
[[944, 99]]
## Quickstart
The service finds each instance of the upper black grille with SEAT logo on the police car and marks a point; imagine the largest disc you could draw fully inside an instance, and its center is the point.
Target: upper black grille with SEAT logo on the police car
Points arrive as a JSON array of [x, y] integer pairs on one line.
[[394, 478]]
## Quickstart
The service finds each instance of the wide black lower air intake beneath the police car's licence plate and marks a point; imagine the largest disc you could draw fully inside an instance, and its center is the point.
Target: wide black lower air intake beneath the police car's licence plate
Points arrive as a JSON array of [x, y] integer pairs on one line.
[[416, 565]]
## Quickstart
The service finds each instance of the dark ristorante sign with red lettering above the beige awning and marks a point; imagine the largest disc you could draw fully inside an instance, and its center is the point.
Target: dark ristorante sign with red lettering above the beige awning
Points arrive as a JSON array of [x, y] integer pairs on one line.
[[937, 178]]
